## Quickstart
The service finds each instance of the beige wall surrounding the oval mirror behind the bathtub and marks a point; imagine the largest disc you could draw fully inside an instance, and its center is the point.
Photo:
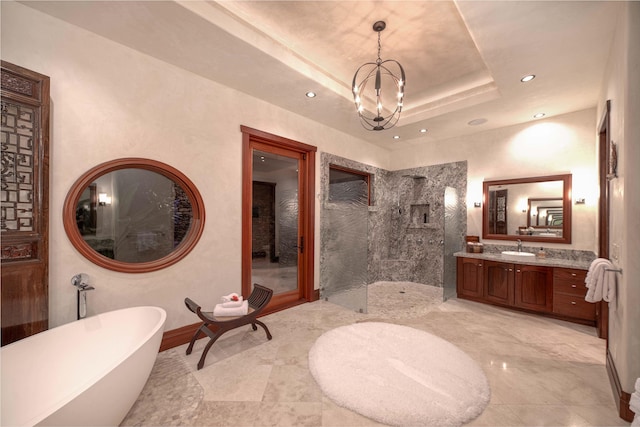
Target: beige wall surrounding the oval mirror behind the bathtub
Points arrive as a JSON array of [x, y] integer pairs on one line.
[[109, 101]]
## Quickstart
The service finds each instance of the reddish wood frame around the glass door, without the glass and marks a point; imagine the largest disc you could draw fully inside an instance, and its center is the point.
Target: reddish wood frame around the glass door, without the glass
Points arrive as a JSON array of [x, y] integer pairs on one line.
[[252, 138]]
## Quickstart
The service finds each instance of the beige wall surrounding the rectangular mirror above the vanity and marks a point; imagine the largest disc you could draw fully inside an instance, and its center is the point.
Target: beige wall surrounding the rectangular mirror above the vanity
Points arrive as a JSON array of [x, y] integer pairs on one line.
[[561, 144]]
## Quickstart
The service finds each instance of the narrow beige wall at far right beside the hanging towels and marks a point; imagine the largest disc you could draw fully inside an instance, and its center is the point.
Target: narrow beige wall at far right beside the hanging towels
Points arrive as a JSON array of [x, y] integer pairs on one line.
[[622, 87]]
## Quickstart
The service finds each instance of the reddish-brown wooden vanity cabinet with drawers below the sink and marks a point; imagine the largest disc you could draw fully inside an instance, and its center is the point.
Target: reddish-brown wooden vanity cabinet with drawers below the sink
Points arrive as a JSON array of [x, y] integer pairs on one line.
[[549, 287]]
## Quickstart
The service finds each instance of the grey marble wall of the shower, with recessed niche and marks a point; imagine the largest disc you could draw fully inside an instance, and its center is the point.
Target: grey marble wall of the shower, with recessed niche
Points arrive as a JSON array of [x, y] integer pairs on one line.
[[406, 218]]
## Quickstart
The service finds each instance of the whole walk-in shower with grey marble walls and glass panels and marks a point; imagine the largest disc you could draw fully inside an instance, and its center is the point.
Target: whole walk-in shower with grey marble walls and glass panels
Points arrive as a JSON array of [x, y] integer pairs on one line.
[[407, 231]]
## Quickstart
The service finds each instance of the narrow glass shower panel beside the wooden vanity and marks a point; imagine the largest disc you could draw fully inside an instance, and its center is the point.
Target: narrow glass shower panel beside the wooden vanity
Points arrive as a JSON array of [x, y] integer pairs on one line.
[[452, 240]]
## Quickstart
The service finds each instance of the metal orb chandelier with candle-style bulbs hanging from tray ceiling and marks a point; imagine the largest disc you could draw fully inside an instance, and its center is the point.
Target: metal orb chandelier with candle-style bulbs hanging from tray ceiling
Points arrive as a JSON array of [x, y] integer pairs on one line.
[[384, 82]]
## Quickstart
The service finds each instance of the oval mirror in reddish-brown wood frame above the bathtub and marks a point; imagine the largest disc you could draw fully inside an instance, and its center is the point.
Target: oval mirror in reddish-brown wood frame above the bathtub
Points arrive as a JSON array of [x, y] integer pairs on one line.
[[133, 215]]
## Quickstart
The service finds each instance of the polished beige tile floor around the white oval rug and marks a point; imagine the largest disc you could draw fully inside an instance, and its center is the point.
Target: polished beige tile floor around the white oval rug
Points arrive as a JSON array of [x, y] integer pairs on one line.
[[542, 372]]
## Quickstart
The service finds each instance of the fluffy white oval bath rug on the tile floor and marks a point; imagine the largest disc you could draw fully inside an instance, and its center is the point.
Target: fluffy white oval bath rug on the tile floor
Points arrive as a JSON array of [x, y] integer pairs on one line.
[[398, 375]]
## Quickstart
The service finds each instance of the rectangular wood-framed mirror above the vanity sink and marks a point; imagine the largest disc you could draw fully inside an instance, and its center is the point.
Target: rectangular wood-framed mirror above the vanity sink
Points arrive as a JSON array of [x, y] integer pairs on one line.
[[536, 209]]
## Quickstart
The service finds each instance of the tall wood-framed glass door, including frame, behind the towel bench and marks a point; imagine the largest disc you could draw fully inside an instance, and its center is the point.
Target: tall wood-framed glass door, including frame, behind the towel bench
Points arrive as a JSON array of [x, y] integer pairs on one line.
[[278, 217]]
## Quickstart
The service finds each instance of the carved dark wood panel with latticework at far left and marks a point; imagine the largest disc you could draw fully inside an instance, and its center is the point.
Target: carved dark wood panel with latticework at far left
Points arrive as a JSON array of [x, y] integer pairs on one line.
[[24, 204]]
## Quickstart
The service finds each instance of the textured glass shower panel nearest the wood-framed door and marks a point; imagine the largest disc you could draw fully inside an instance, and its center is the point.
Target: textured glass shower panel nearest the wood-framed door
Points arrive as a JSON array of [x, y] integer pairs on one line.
[[344, 252]]
